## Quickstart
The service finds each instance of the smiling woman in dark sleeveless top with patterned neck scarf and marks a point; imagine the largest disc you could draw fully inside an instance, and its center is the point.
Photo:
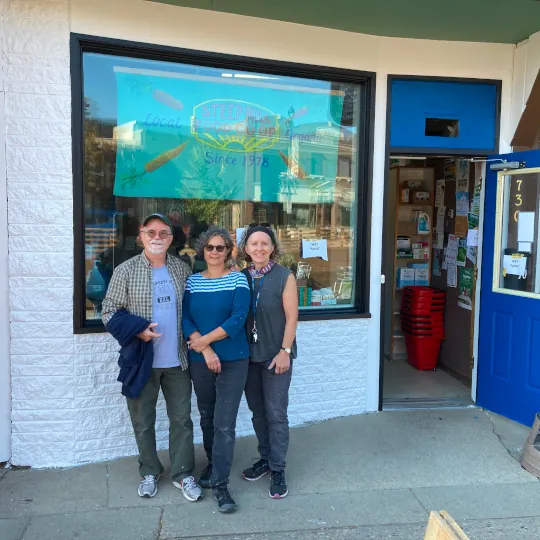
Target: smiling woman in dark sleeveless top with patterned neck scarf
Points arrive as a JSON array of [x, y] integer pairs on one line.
[[271, 329]]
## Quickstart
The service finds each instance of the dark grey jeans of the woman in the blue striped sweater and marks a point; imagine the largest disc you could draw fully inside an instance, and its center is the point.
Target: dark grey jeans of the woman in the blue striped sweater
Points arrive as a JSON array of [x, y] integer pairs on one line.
[[218, 399]]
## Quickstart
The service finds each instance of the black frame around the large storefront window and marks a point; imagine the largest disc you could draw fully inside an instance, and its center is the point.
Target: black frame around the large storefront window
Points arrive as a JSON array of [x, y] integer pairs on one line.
[[80, 44]]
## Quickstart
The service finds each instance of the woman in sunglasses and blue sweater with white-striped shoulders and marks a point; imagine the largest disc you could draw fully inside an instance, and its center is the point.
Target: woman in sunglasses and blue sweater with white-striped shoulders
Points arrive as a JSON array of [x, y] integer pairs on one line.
[[216, 303]]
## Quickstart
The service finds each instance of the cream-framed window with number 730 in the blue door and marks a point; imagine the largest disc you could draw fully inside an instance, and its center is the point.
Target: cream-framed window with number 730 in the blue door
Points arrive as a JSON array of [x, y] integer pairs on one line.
[[517, 233]]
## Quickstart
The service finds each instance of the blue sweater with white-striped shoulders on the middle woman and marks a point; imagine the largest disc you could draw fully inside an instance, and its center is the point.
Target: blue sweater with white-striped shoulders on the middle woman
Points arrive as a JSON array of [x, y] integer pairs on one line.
[[213, 302]]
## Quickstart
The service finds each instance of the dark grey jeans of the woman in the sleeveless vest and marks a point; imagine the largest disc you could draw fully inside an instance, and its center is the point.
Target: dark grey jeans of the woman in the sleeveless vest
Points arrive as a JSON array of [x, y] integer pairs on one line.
[[267, 395]]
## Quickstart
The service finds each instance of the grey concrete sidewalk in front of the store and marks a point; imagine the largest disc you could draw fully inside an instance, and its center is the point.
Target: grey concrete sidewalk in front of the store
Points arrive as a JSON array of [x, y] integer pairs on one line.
[[365, 477]]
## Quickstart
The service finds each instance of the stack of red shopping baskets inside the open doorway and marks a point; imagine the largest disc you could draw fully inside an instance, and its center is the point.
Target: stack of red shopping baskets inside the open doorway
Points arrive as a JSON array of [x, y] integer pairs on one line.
[[422, 322]]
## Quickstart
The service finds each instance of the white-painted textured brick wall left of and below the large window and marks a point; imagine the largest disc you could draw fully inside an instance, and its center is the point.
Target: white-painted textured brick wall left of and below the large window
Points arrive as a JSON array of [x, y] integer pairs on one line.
[[66, 406]]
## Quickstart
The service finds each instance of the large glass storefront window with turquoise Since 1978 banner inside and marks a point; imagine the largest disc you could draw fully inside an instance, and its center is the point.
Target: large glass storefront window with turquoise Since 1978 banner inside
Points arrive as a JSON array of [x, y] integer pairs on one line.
[[214, 146]]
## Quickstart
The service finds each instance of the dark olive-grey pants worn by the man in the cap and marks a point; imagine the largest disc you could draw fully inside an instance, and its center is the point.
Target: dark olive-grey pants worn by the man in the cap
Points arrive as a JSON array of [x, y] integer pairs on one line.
[[176, 387]]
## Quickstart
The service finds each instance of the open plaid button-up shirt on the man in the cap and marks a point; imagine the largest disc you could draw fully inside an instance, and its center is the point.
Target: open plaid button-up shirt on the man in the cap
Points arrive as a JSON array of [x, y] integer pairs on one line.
[[131, 288]]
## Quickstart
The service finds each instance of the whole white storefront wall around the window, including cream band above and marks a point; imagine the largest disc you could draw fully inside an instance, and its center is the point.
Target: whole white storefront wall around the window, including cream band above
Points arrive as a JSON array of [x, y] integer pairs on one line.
[[67, 408]]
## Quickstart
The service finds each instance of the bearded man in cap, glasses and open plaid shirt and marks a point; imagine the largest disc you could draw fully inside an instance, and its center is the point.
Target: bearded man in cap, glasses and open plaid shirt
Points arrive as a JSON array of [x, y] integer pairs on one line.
[[151, 285]]
